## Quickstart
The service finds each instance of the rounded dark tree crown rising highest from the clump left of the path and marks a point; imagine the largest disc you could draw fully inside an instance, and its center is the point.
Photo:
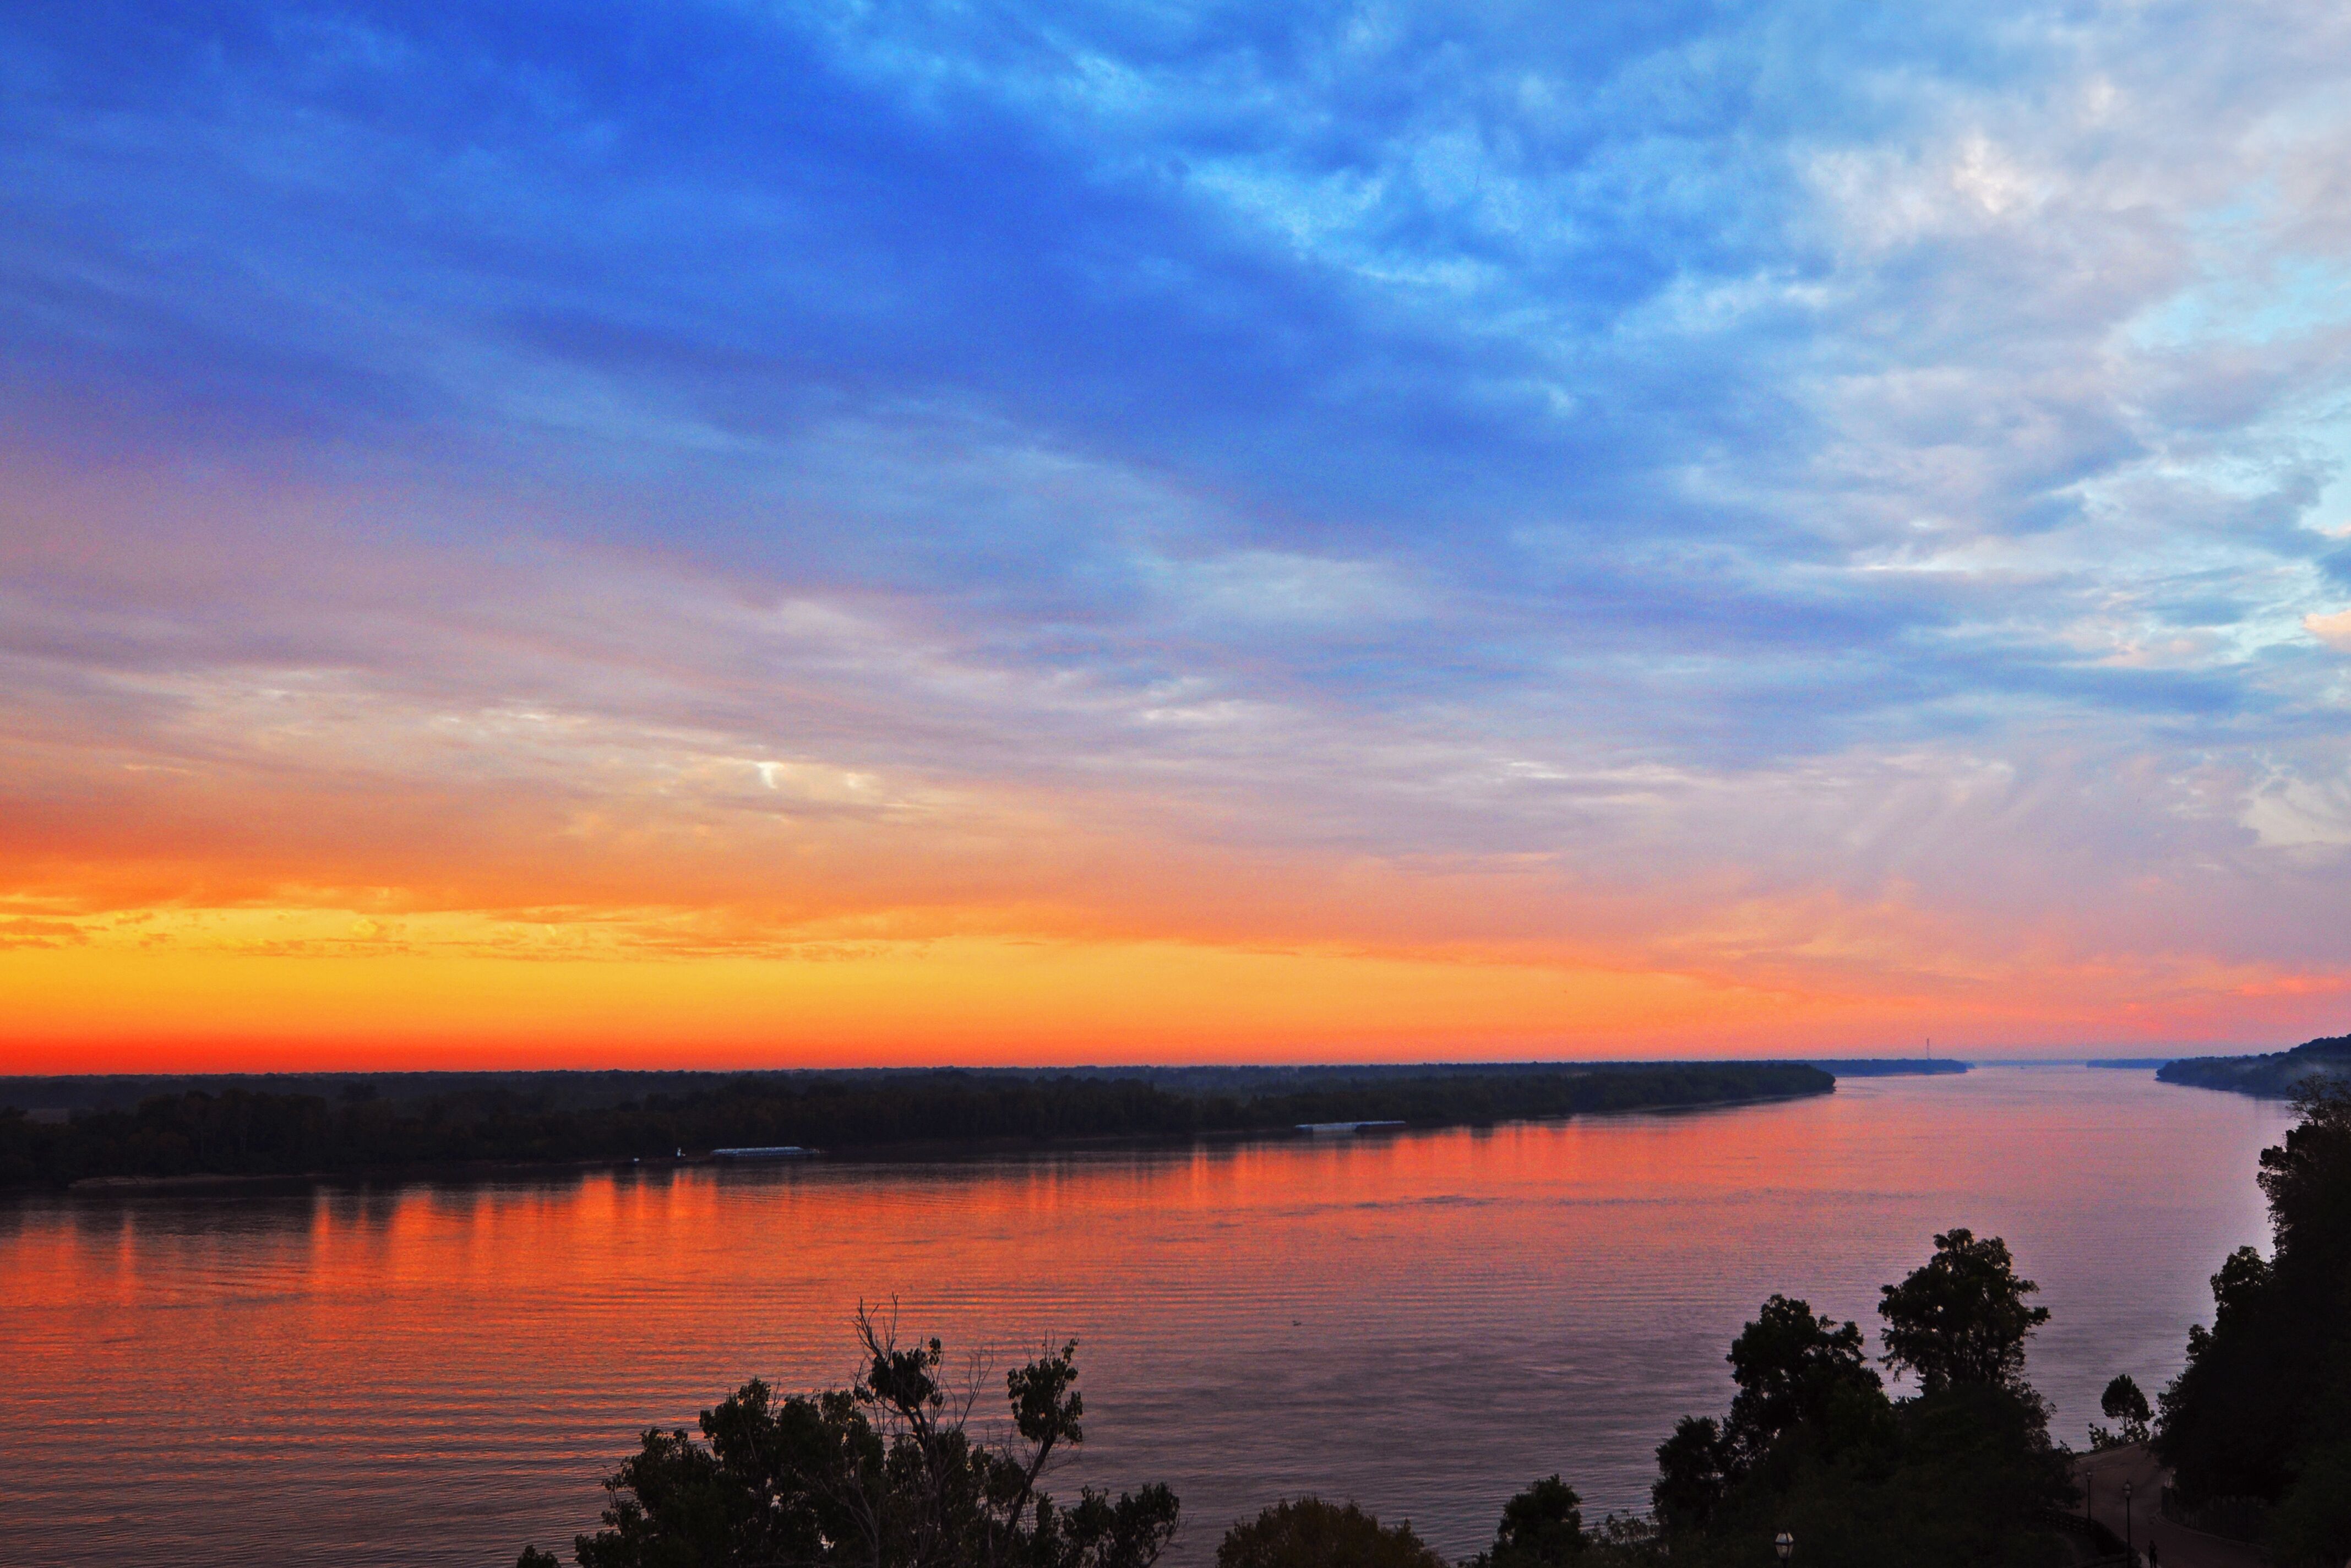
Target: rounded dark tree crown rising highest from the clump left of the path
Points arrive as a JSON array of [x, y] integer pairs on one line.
[[1962, 1320]]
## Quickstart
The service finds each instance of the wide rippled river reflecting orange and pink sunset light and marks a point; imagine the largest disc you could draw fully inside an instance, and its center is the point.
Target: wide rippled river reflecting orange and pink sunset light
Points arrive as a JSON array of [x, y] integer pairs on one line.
[[441, 1372]]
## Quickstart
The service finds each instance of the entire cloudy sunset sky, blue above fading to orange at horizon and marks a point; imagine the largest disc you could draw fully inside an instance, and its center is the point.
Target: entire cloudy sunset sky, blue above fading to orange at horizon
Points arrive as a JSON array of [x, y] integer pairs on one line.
[[791, 535]]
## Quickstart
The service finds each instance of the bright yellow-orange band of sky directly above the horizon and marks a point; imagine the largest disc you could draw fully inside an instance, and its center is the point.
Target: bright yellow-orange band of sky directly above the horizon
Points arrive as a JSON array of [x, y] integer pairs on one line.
[[304, 991]]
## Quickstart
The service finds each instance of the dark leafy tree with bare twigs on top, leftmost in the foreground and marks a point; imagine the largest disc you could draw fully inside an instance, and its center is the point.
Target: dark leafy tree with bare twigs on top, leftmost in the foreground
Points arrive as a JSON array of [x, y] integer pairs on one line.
[[880, 1475]]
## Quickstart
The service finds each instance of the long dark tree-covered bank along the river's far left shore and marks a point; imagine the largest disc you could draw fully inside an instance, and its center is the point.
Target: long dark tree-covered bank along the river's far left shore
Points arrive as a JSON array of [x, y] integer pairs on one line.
[[246, 1132]]
